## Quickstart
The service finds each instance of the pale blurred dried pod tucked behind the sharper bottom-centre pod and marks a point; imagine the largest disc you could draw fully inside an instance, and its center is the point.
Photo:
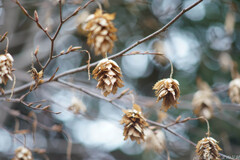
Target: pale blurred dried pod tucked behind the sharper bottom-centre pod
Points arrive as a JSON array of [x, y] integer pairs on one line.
[[154, 140]]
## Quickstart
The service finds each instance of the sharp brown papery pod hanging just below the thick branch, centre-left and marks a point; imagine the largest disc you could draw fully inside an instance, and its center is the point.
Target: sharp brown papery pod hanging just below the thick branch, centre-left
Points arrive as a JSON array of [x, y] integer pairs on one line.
[[108, 75]]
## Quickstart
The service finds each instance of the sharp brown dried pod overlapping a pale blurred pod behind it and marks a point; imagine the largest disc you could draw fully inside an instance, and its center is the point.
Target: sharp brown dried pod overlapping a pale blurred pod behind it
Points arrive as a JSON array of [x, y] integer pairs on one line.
[[134, 124]]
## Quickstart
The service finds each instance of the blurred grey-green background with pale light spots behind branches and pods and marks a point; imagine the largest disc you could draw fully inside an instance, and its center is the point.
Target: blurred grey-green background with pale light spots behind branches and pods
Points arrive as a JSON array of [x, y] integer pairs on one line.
[[202, 43]]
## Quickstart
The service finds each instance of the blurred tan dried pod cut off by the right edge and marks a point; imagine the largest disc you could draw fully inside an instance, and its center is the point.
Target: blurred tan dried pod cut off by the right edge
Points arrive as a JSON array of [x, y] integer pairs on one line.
[[234, 90]]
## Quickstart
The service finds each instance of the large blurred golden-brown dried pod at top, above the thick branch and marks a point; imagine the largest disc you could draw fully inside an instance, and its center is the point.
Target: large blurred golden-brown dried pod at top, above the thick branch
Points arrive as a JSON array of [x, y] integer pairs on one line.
[[101, 30]]
